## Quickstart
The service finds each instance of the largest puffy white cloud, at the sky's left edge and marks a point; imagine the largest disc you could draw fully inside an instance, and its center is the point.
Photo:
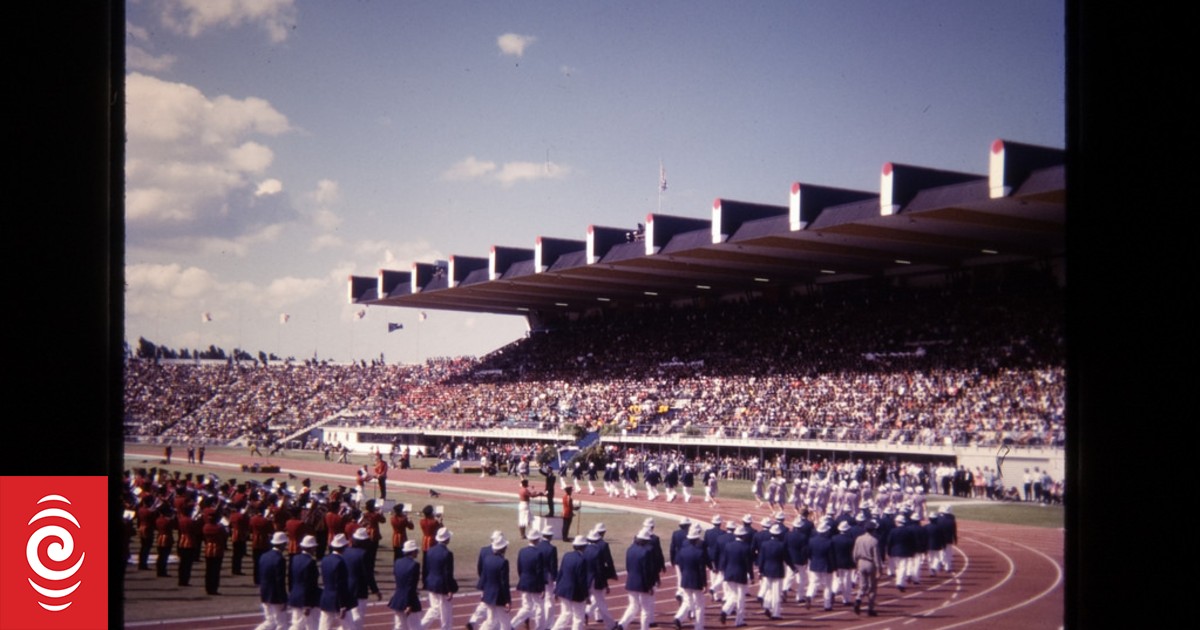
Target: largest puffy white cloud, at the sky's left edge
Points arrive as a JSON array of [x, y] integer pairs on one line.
[[188, 154]]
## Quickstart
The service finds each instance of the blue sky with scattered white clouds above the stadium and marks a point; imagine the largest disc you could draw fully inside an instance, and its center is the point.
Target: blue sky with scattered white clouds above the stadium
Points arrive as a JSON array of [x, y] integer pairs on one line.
[[274, 148]]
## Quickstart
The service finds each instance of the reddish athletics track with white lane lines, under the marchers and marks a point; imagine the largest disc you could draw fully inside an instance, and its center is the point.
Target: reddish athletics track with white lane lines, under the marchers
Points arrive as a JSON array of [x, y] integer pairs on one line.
[[1005, 577]]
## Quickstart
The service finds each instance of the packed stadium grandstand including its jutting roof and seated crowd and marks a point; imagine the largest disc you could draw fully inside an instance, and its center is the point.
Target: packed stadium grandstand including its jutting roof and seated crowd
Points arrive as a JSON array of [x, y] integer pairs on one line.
[[921, 322]]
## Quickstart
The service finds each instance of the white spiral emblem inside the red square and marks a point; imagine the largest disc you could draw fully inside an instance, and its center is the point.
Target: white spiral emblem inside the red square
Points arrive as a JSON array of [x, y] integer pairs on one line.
[[55, 586]]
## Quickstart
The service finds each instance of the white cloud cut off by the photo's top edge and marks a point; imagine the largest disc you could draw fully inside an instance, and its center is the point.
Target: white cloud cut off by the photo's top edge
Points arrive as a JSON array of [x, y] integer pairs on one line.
[[194, 17]]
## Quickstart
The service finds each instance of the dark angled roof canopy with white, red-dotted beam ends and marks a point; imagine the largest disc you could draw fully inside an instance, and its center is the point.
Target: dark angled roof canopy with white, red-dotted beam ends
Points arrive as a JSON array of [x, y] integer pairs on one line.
[[921, 221]]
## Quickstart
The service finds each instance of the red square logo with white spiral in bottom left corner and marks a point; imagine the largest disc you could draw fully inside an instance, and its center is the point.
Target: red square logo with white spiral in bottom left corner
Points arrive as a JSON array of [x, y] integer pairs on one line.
[[53, 553]]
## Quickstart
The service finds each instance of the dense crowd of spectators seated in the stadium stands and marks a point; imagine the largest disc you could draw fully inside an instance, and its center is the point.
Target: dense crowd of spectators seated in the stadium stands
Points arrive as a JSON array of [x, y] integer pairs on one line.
[[917, 368]]
